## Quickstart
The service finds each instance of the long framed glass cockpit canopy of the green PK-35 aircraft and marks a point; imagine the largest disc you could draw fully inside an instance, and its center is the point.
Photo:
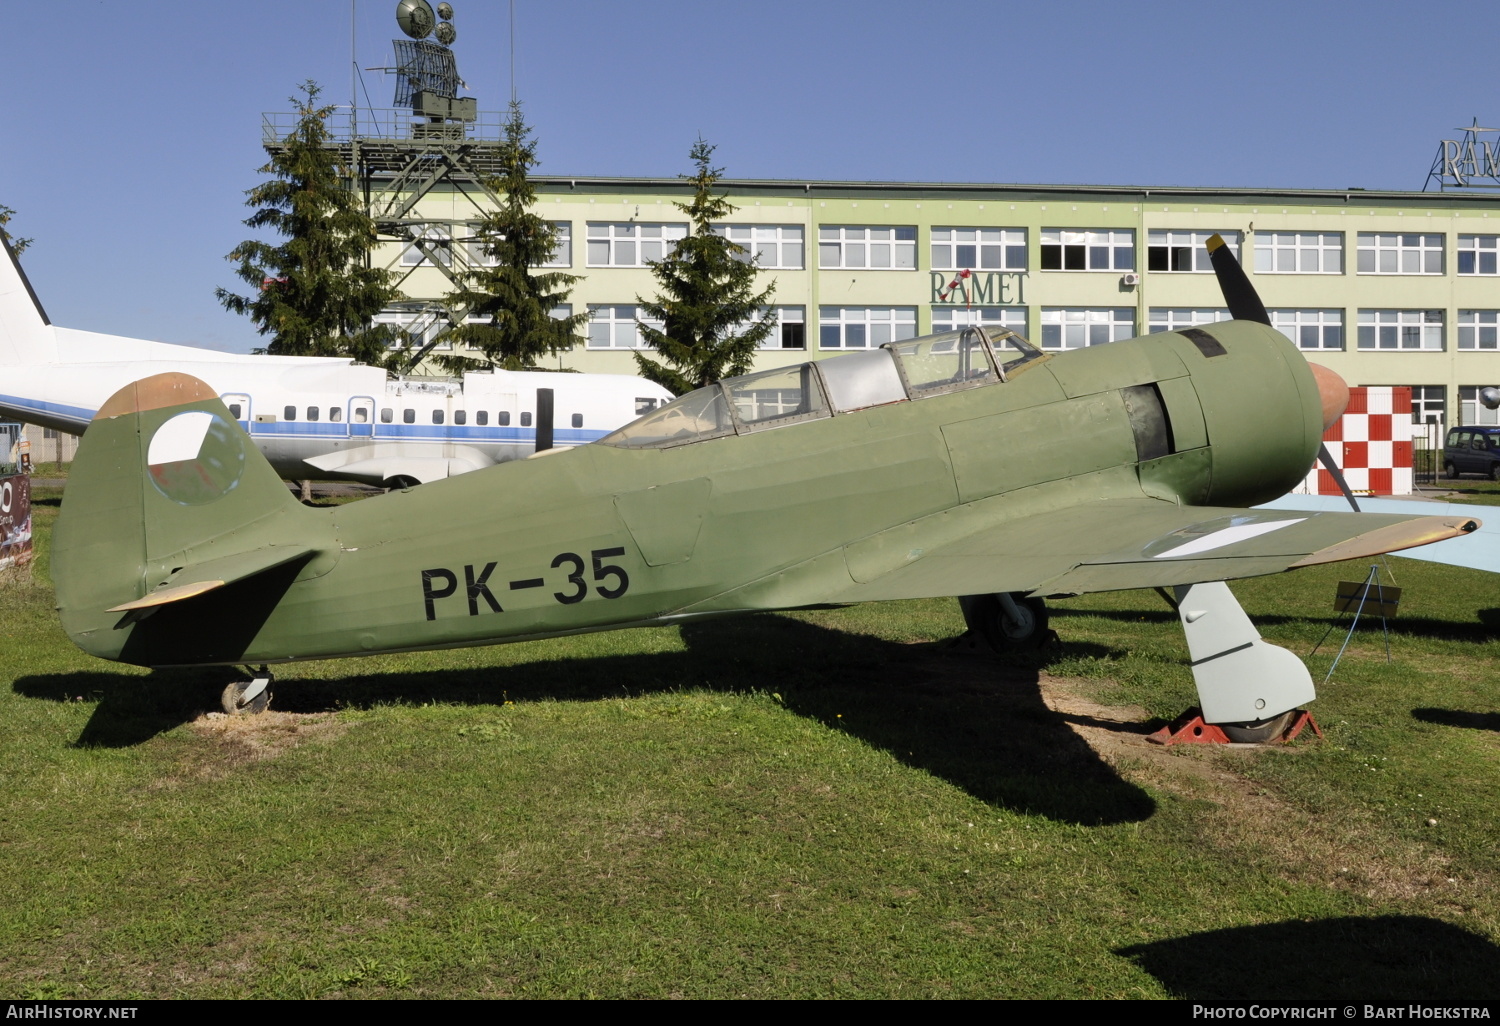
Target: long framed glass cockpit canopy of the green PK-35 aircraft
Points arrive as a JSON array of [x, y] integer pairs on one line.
[[896, 373]]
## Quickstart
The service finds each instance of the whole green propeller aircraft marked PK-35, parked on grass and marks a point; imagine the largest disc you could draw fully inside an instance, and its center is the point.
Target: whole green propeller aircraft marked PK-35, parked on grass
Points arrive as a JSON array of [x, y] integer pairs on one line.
[[958, 464]]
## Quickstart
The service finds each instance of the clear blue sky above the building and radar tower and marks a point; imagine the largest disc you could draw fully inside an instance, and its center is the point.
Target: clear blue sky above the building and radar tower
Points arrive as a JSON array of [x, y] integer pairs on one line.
[[134, 128]]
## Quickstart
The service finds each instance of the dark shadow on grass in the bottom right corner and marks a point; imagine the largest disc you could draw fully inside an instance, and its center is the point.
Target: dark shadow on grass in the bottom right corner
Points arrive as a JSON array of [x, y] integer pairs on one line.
[[1346, 959]]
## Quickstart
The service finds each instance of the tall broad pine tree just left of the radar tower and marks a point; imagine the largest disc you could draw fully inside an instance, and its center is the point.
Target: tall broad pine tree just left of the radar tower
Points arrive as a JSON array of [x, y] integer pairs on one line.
[[316, 293]]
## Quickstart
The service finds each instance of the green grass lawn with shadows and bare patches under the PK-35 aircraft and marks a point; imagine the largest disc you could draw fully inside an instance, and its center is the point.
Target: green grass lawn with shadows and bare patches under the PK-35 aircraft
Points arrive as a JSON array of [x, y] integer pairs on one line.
[[812, 805]]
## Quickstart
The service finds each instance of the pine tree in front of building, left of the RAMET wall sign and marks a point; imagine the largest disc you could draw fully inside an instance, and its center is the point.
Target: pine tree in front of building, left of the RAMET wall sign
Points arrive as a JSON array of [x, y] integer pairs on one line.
[[712, 317]]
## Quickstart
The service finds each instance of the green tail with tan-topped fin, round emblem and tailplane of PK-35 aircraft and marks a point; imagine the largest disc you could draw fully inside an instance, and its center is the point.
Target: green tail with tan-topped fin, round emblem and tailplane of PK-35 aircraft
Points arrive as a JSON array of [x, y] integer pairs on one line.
[[176, 536]]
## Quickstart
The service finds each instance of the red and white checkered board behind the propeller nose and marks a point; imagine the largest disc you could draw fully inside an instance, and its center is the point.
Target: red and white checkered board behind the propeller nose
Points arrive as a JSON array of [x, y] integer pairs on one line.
[[1373, 445]]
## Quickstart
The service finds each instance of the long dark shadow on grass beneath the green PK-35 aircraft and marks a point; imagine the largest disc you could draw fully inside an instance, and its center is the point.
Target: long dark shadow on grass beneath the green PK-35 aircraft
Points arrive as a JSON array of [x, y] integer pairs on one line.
[[973, 721]]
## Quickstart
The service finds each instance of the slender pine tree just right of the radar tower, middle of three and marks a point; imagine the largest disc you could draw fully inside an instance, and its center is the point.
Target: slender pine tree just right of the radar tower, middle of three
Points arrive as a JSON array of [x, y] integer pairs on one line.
[[515, 304]]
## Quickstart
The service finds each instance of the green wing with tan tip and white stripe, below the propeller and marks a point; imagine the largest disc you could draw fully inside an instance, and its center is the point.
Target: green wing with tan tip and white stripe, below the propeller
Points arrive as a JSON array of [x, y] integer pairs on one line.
[[1114, 545]]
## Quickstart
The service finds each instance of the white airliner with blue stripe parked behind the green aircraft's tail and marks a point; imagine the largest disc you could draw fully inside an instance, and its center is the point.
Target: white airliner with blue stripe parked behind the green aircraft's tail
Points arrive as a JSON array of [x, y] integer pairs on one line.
[[322, 418]]
